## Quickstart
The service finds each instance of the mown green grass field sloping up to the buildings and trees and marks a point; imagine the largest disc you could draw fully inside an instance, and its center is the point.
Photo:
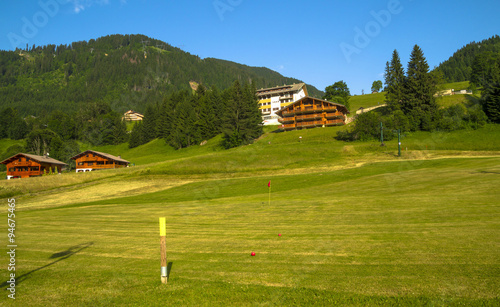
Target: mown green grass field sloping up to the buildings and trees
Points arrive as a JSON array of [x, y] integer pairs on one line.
[[359, 225]]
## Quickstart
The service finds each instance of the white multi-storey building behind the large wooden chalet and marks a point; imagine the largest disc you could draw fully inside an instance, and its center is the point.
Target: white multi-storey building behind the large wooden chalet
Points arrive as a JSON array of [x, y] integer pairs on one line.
[[271, 100]]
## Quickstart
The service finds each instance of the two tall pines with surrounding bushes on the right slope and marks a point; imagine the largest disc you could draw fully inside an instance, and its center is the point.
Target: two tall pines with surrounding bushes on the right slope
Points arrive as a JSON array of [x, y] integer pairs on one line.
[[411, 105]]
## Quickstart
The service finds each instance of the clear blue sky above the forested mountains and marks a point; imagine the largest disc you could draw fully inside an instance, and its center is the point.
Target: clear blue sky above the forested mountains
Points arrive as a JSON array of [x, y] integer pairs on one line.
[[319, 42]]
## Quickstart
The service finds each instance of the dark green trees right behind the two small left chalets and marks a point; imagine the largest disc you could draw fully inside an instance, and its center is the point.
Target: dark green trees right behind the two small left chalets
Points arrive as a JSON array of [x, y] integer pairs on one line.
[[59, 133]]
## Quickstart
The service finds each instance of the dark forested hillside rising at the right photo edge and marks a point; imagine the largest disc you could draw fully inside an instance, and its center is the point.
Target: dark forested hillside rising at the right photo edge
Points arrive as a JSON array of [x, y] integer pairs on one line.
[[459, 67]]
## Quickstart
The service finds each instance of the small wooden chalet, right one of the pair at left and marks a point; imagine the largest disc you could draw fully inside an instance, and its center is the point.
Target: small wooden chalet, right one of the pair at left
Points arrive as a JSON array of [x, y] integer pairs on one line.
[[93, 160]]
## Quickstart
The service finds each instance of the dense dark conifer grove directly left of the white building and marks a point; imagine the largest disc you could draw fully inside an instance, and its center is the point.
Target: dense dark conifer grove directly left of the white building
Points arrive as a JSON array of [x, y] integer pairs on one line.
[[184, 119]]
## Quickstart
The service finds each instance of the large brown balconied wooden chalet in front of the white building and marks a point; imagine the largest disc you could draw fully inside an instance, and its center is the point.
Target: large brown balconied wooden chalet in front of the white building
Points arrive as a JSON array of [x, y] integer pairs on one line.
[[310, 112]]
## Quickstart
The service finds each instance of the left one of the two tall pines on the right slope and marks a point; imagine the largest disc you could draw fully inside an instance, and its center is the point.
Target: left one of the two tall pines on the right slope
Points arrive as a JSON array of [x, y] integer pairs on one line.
[[394, 80]]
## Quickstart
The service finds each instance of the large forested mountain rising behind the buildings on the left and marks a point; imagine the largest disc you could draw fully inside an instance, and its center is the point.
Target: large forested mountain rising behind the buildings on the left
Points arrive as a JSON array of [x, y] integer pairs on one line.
[[124, 71]]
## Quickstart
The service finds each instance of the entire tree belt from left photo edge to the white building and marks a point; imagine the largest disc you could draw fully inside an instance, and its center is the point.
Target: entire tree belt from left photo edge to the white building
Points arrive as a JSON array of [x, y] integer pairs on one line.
[[182, 119]]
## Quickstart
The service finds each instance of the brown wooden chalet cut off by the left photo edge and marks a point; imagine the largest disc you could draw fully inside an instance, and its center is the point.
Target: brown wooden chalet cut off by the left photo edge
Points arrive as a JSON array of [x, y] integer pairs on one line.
[[26, 165]]
